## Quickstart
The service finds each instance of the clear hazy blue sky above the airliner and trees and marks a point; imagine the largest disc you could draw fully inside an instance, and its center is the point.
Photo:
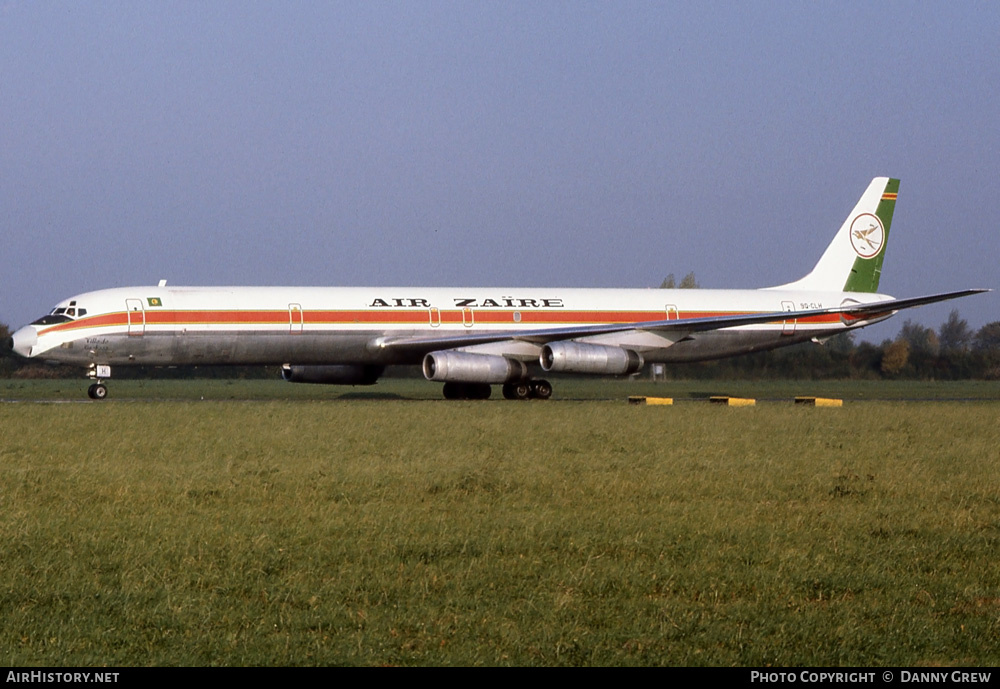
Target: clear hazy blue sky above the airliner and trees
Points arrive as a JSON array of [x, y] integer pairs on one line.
[[584, 144]]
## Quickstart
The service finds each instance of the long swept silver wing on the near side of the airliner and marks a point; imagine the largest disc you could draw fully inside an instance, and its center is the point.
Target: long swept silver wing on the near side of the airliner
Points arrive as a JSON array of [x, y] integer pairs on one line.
[[849, 312]]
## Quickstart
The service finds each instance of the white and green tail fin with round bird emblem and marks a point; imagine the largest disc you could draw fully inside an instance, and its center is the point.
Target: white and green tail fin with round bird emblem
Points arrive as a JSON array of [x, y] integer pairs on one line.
[[853, 261]]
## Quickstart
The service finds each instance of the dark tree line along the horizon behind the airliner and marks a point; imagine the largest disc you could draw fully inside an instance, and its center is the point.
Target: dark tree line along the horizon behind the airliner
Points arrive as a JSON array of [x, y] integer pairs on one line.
[[953, 351]]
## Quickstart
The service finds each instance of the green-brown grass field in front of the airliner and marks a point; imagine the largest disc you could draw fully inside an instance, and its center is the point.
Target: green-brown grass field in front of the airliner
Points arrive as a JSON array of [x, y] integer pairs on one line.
[[415, 531]]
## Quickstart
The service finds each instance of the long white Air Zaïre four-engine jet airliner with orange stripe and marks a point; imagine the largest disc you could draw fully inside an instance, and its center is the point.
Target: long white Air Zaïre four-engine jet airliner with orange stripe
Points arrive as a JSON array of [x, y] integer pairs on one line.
[[472, 338]]
